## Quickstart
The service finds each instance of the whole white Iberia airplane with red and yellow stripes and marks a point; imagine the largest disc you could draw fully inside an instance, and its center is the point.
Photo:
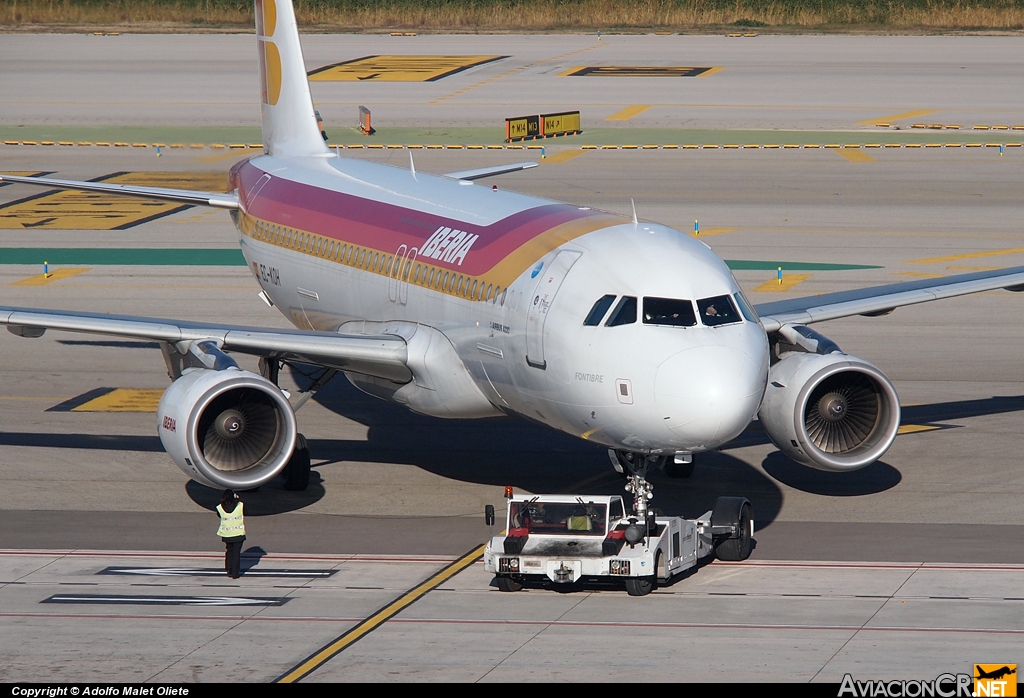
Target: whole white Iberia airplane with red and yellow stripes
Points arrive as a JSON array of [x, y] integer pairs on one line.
[[461, 302]]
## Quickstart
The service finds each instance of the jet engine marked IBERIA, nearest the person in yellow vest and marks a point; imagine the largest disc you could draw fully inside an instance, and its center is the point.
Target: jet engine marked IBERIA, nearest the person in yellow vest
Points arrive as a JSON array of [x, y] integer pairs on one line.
[[227, 429]]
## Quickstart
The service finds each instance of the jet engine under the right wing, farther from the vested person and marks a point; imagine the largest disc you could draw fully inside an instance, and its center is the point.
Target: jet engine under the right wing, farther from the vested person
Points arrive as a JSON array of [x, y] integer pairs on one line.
[[831, 412]]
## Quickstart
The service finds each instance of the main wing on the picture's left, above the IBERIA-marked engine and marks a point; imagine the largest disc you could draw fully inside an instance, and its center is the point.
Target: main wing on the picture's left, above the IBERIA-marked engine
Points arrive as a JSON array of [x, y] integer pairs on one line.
[[381, 356]]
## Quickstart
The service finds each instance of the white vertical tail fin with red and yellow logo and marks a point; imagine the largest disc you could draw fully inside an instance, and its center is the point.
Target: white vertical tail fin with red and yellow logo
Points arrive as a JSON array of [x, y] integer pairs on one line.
[[289, 120]]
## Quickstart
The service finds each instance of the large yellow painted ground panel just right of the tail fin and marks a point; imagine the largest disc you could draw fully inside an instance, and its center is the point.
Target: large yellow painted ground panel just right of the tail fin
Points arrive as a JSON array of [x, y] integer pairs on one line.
[[400, 68]]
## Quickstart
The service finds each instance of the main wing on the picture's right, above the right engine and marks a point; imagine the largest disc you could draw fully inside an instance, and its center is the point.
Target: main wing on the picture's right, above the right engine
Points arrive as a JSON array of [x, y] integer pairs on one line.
[[882, 300]]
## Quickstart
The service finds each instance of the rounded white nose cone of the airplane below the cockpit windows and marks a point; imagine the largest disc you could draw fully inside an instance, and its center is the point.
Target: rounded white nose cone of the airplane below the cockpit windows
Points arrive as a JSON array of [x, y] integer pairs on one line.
[[709, 394]]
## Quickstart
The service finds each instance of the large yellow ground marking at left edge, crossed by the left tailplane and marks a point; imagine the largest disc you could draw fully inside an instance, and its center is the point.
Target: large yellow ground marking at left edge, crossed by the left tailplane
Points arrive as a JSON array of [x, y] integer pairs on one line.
[[91, 211]]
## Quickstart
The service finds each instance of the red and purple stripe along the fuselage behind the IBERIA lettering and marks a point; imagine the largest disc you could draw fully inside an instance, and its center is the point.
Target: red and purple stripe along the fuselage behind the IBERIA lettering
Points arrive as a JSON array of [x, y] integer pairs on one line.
[[387, 228]]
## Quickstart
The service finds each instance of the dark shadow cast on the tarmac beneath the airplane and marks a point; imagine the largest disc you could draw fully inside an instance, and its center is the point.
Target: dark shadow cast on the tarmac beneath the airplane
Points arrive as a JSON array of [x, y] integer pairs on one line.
[[514, 452]]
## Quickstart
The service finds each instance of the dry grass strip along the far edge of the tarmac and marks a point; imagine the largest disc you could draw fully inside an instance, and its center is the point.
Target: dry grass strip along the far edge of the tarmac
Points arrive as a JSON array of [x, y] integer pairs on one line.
[[536, 15]]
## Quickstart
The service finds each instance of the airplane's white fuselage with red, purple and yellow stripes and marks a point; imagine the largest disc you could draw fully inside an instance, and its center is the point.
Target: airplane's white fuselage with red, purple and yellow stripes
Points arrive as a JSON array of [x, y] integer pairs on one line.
[[518, 322]]
